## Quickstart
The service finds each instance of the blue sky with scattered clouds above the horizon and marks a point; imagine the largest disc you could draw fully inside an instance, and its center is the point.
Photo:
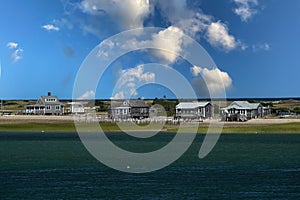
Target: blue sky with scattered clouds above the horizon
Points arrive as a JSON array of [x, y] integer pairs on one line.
[[254, 45]]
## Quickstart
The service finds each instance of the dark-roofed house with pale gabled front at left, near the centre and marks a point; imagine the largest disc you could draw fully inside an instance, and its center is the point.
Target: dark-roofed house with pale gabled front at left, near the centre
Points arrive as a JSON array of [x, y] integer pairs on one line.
[[126, 109]]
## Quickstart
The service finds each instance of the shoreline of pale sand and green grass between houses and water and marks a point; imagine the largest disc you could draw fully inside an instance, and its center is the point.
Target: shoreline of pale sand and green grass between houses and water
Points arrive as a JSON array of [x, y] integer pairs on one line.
[[34, 123]]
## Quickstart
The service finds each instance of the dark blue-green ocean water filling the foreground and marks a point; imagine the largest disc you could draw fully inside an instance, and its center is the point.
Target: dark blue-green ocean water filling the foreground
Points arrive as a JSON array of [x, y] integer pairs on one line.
[[241, 166]]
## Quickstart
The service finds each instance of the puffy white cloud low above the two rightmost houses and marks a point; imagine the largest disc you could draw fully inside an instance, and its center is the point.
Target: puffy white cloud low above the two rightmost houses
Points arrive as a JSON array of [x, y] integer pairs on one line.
[[210, 81]]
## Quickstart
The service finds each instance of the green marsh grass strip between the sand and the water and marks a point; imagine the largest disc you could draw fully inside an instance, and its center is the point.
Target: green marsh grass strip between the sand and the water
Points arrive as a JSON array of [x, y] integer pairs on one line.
[[110, 127]]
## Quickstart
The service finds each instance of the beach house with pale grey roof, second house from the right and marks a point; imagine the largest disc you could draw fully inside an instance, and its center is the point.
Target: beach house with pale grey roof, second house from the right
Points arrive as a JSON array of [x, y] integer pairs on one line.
[[194, 110]]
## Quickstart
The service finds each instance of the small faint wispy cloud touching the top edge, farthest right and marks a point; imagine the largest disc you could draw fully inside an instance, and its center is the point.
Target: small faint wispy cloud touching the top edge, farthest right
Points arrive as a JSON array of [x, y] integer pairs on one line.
[[245, 9]]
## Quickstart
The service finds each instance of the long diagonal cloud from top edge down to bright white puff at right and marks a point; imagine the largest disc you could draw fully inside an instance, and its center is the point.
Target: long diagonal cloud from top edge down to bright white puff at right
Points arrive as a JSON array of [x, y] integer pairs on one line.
[[197, 24]]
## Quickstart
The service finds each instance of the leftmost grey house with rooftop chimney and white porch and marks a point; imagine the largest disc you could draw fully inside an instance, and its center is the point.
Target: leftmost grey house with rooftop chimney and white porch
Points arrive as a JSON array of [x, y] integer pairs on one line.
[[46, 105]]
